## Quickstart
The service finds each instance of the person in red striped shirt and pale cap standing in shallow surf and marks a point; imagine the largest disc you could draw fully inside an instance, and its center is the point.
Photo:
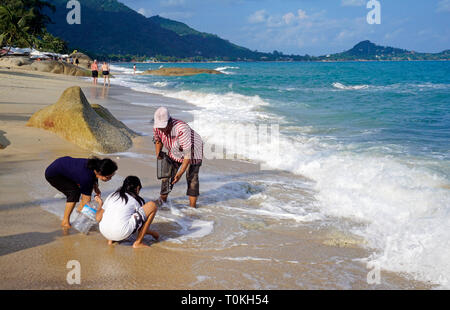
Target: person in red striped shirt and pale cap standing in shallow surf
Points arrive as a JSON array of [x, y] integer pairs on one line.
[[185, 149]]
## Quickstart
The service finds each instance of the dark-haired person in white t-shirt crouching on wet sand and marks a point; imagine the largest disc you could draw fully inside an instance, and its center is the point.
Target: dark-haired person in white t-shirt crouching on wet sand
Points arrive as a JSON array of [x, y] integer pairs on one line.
[[124, 212]]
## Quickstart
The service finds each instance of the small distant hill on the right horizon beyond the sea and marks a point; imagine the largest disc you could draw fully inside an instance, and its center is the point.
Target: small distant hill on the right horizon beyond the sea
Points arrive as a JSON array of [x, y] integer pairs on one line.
[[366, 50]]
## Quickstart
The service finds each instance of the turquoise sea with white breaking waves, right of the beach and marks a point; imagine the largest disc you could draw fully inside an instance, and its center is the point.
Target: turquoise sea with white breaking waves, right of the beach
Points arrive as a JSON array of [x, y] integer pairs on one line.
[[372, 138]]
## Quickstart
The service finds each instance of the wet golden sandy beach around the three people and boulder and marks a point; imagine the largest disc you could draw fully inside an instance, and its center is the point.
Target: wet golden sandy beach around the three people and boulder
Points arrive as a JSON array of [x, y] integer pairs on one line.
[[34, 251]]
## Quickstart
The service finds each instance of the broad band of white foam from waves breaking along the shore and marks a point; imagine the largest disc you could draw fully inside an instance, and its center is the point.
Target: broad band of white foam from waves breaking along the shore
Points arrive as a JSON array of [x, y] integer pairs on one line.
[[402, 205]]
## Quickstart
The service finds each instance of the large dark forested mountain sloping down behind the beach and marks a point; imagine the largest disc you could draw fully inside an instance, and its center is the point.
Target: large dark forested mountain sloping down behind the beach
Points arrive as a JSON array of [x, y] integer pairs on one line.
[[109, 27]]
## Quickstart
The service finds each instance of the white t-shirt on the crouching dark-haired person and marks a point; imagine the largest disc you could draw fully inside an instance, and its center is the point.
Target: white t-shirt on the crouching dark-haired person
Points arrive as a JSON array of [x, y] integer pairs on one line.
[[118, 222]]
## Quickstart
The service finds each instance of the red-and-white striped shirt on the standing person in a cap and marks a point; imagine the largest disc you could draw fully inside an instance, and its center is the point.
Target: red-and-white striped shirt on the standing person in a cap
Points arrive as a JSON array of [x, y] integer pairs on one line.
[[182, 142]]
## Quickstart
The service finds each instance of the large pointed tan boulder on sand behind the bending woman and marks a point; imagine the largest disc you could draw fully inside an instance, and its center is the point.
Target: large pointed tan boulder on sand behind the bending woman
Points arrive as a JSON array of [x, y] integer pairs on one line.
[[74, 119]]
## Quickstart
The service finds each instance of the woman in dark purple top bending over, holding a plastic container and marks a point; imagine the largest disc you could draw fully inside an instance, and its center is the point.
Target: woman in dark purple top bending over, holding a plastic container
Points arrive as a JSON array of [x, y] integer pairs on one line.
[[76, 177]]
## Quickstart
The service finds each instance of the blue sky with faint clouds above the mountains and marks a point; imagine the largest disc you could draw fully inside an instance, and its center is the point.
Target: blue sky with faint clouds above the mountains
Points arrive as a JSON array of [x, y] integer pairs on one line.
[[314, 27]]
